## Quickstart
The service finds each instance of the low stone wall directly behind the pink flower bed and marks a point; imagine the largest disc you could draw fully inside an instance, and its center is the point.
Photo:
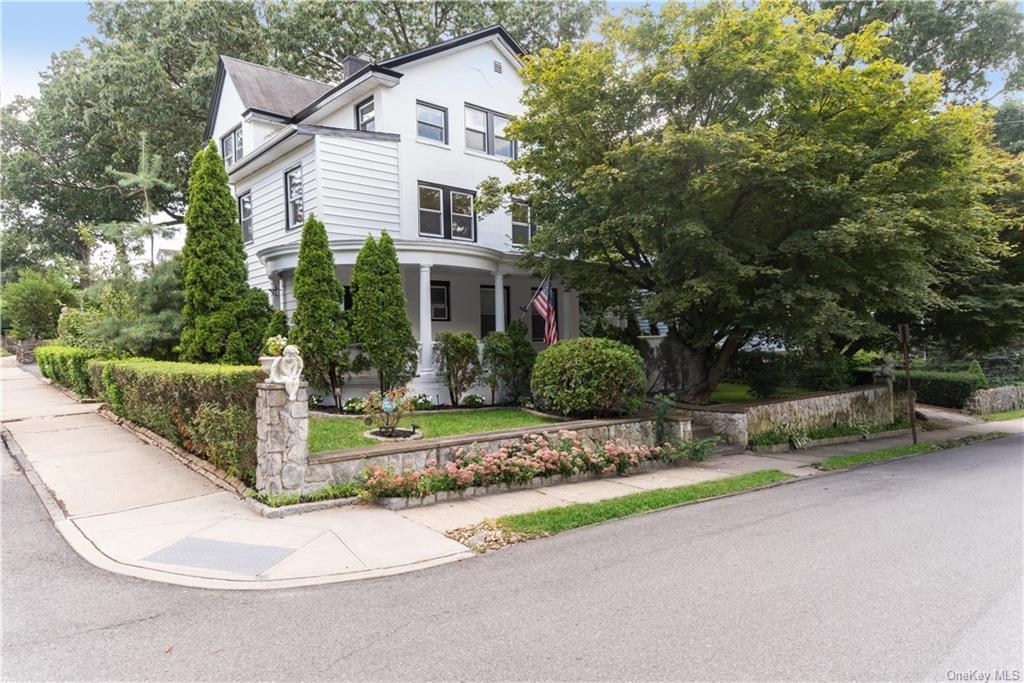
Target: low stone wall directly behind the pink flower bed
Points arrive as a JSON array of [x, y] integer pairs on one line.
[[326, 468]]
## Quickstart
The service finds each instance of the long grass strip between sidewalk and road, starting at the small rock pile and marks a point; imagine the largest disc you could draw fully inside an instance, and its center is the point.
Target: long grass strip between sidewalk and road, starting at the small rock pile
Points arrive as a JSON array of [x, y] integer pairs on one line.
[[545, 523]]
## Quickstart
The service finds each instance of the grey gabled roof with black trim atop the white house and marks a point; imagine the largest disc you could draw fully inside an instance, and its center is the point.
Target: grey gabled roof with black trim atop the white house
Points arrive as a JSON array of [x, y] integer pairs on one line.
[[292, 99]]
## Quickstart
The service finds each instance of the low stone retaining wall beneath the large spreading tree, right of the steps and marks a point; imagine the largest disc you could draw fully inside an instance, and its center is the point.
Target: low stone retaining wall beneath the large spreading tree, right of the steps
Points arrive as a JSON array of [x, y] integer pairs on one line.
[[871, 405]]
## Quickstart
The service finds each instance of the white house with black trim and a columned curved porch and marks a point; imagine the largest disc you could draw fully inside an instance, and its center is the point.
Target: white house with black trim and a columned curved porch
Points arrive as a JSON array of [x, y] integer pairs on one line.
[[400, 146]]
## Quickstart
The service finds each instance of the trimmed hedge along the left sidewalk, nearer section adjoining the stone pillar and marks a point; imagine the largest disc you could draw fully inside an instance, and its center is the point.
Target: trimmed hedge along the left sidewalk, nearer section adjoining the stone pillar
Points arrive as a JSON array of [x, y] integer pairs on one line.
[[209, 410]]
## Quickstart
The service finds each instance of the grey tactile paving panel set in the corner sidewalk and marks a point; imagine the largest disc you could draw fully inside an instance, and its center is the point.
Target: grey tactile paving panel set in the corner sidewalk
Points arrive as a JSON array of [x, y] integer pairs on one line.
[[245, 559]]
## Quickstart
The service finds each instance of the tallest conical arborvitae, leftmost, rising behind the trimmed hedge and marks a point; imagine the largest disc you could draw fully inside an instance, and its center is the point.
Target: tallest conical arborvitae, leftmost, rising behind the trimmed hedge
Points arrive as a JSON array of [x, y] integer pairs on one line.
[[219, 304]]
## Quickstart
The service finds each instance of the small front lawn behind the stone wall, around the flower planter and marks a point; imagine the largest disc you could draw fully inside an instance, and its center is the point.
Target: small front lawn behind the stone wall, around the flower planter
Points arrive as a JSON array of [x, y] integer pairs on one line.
[[338, 434]]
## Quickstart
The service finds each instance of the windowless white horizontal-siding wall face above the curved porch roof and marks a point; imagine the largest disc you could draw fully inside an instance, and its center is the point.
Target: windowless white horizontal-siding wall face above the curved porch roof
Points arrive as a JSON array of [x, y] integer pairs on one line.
[[359, 192]]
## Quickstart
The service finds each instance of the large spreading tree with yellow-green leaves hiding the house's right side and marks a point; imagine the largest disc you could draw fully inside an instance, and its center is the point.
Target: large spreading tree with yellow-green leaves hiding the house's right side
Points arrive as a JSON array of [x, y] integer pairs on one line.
[[741, 175]]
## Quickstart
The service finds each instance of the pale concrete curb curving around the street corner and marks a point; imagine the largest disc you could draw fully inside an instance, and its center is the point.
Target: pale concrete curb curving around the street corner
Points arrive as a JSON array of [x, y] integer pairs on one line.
[[89, 551]]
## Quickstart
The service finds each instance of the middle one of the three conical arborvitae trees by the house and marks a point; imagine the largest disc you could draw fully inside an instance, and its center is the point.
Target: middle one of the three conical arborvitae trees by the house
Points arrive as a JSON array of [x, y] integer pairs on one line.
[[320, 327]]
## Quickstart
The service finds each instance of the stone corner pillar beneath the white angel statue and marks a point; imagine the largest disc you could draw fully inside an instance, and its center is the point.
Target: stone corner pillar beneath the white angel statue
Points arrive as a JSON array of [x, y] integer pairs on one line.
[[282, 439]]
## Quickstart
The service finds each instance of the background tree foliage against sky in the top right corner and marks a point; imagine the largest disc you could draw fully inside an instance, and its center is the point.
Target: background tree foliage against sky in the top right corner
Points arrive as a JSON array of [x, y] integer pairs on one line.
[[978, 46]]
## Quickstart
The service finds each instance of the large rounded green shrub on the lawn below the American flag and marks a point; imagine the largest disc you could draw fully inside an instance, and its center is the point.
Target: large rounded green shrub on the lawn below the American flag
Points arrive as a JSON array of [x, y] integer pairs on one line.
[[589, 377]]
